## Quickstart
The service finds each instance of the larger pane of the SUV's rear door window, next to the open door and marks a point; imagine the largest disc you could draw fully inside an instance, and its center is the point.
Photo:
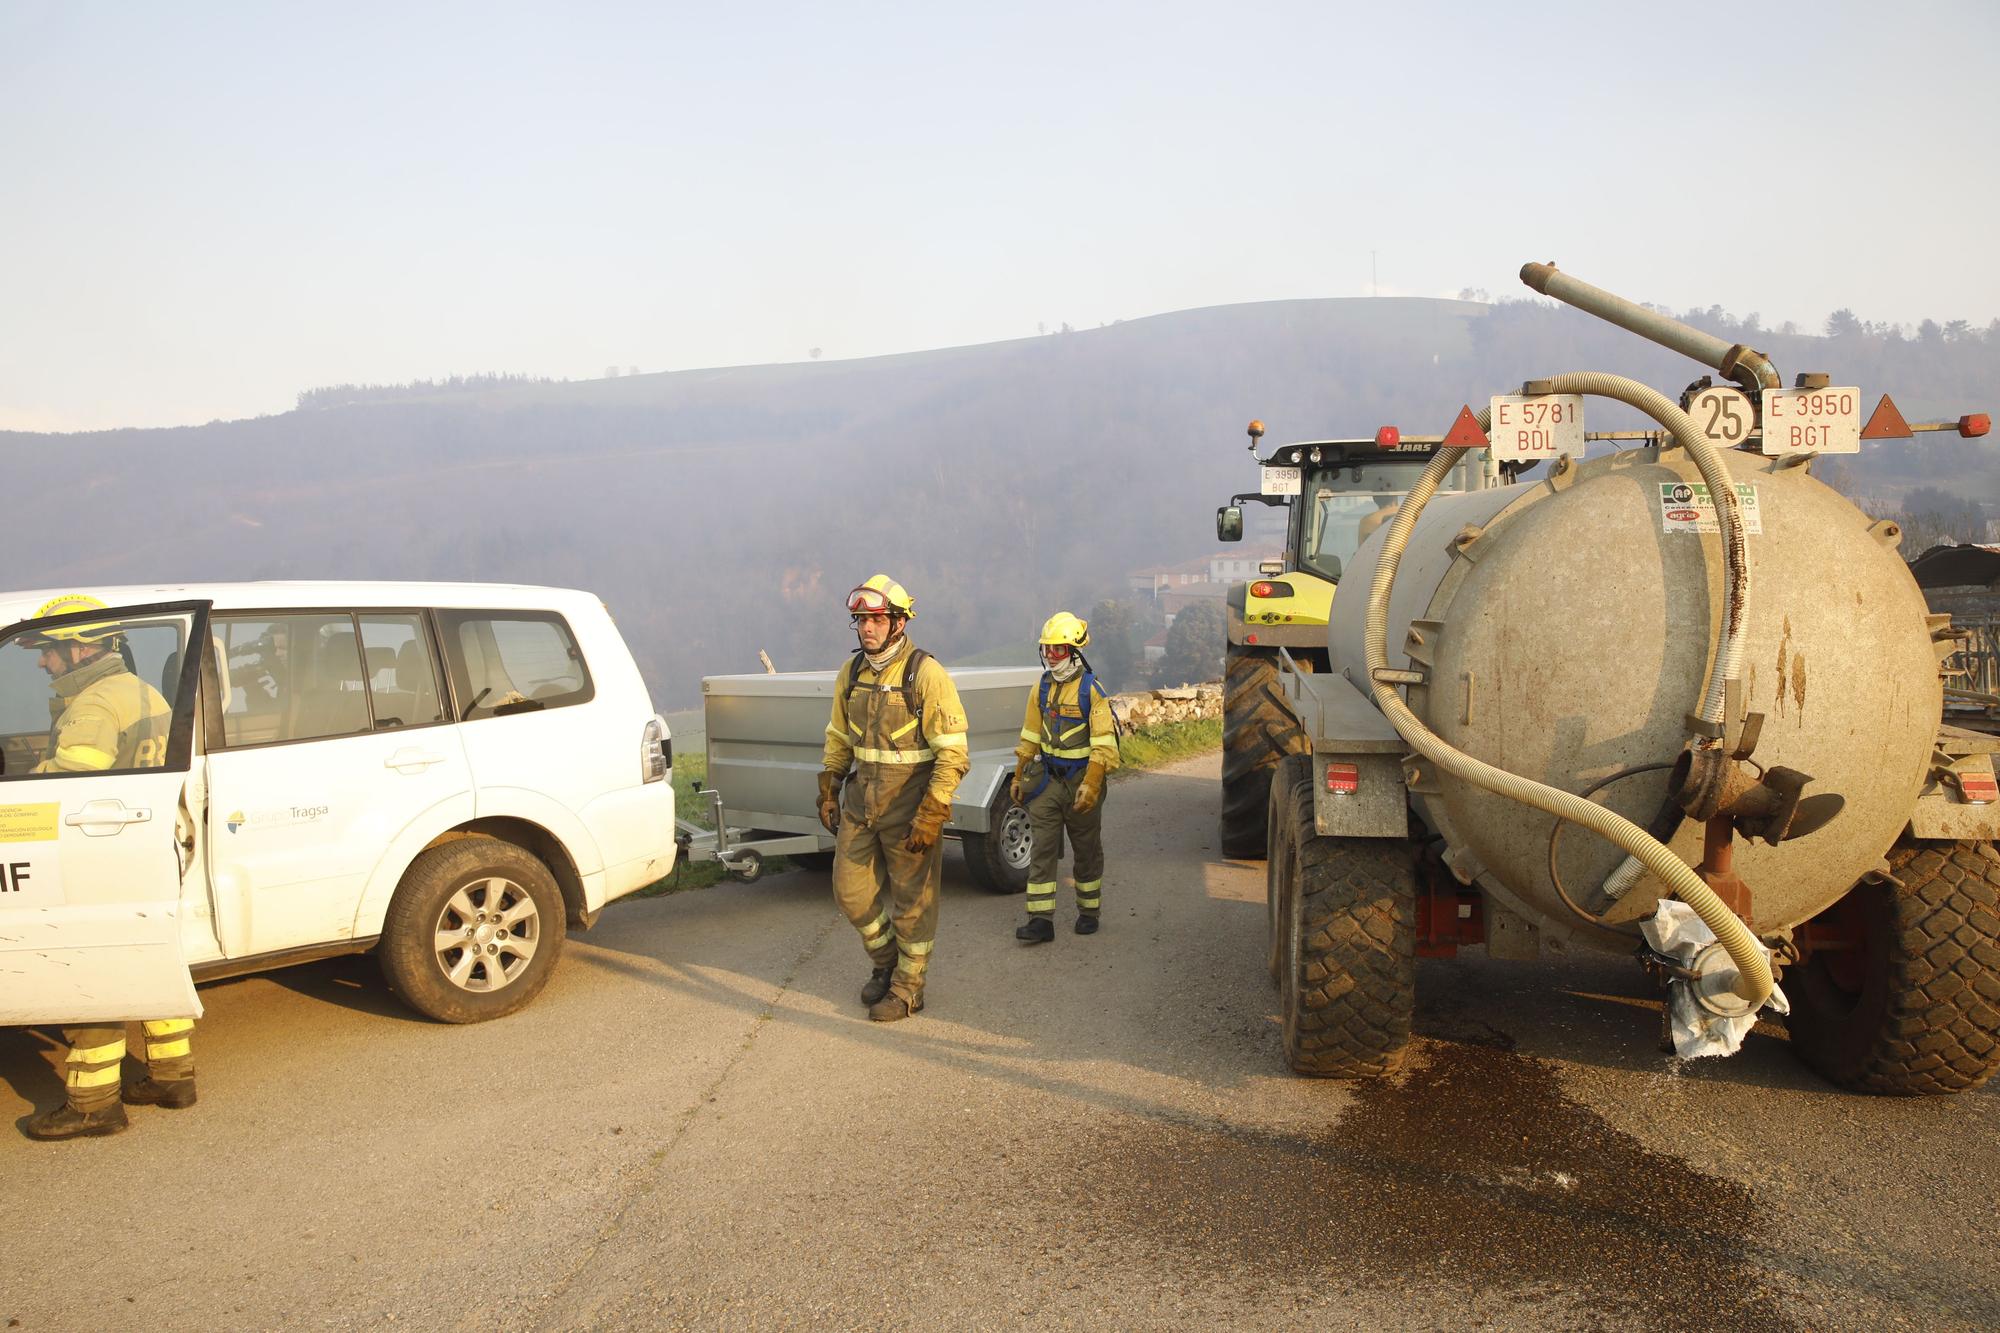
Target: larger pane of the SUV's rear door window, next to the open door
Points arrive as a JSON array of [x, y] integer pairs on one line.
[[293, 678]]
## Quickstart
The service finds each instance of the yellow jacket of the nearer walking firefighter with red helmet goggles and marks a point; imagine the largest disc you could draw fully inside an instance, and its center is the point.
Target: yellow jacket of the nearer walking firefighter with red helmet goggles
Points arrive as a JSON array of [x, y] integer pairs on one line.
[[889, 750]]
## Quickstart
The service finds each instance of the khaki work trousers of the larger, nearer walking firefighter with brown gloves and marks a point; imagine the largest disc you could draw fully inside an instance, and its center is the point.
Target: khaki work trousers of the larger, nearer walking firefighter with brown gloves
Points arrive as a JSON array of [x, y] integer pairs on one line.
[[889, 894]]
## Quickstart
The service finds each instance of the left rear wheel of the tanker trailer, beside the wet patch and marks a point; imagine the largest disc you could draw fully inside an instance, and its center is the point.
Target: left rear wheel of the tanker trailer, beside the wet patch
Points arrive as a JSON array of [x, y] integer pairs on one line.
[[1349, 980]]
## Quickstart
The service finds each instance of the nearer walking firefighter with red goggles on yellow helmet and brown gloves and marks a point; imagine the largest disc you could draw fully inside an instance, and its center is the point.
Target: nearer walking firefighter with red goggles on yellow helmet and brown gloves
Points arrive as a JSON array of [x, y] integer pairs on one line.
[[895, 756]]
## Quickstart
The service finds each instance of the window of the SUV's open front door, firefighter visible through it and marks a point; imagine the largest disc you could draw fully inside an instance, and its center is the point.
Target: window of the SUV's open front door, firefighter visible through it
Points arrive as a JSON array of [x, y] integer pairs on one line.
[[87, 696]]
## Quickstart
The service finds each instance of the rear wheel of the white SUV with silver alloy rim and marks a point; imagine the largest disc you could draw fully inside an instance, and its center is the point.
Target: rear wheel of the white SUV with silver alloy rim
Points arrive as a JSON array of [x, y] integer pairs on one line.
[[473, 932]]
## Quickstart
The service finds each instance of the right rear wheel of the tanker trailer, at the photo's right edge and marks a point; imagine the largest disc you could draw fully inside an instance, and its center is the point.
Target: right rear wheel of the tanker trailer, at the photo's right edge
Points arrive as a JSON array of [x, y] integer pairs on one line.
[[1913, 1004]]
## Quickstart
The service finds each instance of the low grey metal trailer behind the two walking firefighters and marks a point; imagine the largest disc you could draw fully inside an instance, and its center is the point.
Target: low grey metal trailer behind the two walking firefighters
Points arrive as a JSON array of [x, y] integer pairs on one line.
[[765, 742]]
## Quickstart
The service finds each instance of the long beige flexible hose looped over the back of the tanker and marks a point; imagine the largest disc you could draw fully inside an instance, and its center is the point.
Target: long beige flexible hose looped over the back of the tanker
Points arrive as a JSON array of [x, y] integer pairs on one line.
[[1753, 970]]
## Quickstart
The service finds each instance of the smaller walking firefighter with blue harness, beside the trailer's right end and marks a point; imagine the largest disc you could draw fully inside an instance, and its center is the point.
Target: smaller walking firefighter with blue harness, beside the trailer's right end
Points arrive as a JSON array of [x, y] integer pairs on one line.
[[1069, 744]]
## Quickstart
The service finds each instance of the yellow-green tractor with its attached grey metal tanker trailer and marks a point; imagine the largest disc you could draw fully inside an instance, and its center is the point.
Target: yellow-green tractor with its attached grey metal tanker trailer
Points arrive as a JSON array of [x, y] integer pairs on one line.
[[1679, 702]]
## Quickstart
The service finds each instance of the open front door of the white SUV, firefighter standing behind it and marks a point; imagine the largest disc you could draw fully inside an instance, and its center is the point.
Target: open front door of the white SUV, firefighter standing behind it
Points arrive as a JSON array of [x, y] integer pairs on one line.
[[93, 844]]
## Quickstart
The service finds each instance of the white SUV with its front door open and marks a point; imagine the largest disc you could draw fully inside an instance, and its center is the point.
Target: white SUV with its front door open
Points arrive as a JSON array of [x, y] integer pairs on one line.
[[445, 774]]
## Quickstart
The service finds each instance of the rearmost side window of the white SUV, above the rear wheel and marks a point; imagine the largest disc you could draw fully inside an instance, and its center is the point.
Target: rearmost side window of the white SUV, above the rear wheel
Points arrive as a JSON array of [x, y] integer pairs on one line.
[[513, 661]]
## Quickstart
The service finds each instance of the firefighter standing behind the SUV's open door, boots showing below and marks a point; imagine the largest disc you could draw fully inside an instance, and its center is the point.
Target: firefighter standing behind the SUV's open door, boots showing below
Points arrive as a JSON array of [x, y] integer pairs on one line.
[[107, 720]]
